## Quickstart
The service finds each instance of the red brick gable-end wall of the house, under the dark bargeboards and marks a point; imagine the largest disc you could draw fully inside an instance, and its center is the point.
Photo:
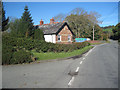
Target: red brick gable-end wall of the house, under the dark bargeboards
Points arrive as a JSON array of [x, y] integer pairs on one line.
[[64, 36]]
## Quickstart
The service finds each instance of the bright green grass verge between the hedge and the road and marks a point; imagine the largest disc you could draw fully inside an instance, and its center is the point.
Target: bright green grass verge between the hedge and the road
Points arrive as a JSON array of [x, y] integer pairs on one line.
[[51, 55]]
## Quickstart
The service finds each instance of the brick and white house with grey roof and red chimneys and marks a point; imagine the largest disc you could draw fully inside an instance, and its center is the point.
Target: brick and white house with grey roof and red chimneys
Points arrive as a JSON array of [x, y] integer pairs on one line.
[[56, 32]]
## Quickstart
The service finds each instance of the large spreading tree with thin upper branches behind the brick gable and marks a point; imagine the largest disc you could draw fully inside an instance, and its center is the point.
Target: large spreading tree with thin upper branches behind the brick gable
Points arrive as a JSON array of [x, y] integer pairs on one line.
[[82, 22]]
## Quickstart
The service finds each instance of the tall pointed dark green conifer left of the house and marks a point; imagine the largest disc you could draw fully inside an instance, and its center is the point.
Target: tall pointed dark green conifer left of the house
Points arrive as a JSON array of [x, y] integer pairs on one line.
[[22, 27]]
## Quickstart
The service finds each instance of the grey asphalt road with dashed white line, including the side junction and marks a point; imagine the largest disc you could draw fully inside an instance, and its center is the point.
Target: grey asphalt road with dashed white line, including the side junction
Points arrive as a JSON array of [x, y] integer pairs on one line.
[[98, 68]]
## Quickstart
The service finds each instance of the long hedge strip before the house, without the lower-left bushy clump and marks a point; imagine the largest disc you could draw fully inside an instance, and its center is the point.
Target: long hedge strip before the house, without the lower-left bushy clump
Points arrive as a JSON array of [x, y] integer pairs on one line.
[[41, 46]]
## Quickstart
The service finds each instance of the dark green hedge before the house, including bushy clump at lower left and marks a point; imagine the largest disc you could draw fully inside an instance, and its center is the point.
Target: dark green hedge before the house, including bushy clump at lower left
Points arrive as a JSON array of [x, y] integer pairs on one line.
[[17, 50]]
